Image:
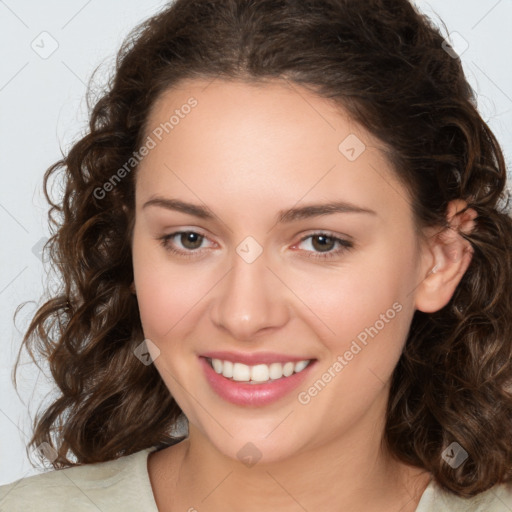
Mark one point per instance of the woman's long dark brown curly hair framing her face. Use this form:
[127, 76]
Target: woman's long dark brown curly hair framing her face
[385, 63]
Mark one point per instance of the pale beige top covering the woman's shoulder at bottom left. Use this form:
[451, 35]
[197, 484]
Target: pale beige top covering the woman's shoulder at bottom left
[121, 484]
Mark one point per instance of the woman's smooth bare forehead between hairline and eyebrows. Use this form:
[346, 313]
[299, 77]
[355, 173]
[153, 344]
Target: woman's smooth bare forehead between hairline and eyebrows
[274, 140]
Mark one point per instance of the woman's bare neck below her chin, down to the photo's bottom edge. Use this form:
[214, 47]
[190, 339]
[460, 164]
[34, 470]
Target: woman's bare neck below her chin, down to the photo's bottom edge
[352, 472]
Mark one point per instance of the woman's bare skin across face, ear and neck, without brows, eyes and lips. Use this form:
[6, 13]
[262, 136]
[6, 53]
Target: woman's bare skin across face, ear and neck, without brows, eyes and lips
[248, 152]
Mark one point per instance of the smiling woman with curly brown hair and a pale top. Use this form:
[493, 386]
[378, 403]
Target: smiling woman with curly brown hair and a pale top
[287, 227]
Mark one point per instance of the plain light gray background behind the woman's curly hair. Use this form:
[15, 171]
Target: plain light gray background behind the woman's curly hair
[42, 110]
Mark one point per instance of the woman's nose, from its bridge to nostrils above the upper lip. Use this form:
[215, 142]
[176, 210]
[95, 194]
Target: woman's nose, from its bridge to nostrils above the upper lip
[251, 300]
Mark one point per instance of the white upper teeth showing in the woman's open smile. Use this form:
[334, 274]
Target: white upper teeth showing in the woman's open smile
[257, 373]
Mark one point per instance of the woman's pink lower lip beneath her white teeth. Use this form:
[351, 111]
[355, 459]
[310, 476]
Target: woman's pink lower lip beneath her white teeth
[243, 393]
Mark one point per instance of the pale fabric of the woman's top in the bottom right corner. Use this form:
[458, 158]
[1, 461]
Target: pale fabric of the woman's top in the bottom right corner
[496, 499]
